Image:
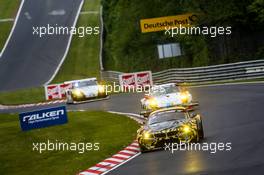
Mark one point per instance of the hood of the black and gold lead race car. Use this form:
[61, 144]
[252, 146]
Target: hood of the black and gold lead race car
[166, 125]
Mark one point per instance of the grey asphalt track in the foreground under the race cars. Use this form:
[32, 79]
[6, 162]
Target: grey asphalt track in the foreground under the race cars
[231, 113]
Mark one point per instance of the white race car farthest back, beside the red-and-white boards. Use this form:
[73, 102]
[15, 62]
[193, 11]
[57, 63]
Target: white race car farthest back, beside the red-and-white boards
[83, 90]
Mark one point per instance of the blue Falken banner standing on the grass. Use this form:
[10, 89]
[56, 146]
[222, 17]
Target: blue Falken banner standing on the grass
[43, 118]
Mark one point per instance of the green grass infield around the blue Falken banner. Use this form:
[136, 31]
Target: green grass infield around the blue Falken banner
[113, 132]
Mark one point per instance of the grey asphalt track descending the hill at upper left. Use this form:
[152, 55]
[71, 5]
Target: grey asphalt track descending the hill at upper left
[29, 60]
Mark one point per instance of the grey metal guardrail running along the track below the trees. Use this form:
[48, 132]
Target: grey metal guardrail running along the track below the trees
[225, 72]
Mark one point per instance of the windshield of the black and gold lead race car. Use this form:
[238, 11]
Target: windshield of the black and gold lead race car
[166, 116]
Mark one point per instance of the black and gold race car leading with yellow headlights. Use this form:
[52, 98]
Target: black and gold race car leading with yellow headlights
[170, 125]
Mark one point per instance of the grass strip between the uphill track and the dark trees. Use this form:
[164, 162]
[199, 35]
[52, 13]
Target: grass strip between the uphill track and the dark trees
[83, 58]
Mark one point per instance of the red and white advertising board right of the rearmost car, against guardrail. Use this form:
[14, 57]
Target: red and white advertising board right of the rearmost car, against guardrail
[135, 79]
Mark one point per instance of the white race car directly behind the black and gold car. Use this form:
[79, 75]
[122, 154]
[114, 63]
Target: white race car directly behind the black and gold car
[165, 95]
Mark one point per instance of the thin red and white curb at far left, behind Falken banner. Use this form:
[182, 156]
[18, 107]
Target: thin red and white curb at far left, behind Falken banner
[2, 107]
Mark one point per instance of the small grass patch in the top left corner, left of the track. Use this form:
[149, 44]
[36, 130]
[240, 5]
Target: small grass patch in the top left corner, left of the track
[7, 10]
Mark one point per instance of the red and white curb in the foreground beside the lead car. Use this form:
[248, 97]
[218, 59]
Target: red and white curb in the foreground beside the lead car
[115, 161]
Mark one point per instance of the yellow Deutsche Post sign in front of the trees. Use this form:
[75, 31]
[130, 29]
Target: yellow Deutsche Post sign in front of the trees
[163, 23]
